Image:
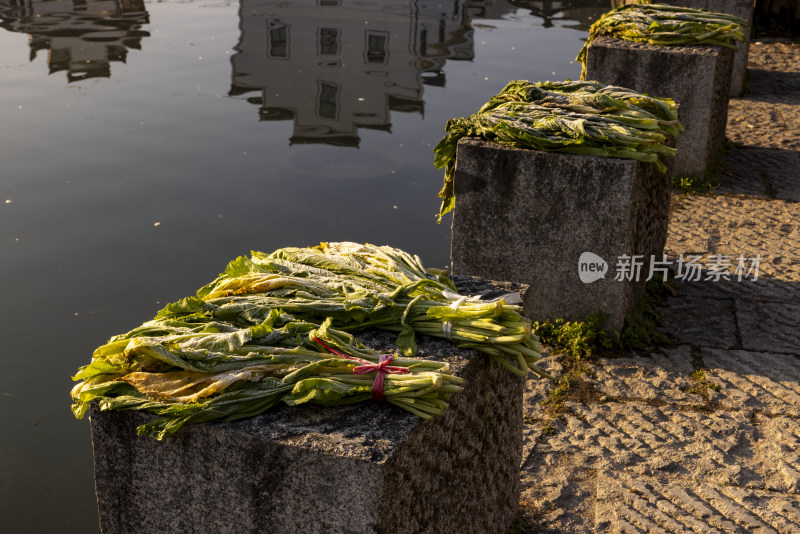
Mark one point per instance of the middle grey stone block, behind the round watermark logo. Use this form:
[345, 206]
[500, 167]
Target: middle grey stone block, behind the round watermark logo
[528, 216]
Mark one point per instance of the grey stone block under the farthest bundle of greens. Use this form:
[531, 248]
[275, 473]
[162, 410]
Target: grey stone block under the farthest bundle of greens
[696, 77]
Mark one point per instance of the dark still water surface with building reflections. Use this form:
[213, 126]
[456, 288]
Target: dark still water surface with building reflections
[144, 145]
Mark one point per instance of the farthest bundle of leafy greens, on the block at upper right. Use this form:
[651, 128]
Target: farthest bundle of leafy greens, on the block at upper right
[661, 24]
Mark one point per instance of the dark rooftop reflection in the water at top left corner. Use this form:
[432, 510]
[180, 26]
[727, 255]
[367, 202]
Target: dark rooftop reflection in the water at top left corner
[81, 37]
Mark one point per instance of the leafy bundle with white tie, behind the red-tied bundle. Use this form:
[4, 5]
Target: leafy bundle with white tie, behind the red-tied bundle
[361, 286]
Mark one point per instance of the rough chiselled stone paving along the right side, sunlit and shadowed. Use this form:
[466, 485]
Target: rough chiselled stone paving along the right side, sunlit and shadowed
[649, 445]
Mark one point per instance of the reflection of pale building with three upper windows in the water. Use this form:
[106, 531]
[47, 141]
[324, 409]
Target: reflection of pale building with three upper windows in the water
[334, 66]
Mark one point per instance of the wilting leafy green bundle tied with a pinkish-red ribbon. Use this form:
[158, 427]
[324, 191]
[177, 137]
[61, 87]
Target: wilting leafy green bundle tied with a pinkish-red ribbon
[192, 377]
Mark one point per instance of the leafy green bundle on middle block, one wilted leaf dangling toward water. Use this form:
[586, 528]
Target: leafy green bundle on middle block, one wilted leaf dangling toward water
[571, 117]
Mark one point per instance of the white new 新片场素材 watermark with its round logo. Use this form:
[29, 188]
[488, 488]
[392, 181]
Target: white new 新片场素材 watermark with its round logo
[690, 268]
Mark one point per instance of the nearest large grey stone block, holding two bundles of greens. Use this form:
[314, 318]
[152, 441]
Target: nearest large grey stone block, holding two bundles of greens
[363, 468]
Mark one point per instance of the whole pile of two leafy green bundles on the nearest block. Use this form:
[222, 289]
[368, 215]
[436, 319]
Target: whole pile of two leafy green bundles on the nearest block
[273, 328]
